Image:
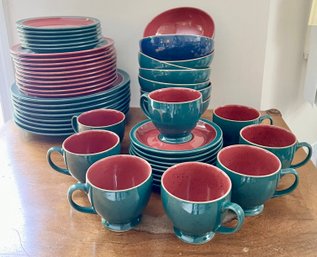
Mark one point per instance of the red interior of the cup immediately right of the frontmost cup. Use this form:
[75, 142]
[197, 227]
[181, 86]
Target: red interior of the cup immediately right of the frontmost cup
[249, 160]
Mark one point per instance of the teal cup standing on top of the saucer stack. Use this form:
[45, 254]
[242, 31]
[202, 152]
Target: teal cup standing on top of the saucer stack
[173, 111]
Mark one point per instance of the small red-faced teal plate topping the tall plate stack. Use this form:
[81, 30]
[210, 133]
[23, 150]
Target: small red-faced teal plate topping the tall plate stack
[58, 22]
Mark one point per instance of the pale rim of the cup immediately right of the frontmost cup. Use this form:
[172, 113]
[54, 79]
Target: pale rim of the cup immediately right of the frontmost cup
[253, 147]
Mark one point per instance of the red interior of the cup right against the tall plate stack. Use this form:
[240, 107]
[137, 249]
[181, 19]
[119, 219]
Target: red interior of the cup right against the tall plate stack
[101, 118]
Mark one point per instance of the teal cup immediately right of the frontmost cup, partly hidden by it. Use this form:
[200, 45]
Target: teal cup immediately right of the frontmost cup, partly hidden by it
[255, 174]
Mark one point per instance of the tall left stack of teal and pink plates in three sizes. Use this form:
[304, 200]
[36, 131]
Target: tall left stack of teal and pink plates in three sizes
[64, 66]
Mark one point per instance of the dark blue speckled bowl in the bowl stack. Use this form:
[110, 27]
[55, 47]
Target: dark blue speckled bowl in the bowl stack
[176, 47]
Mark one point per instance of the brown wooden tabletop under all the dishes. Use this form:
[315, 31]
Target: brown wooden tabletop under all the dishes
[36, 219]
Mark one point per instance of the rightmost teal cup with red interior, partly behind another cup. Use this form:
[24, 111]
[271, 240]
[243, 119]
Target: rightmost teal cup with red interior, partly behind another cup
[277, 140]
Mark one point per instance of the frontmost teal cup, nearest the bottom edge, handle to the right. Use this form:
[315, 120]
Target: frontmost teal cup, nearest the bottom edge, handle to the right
[196, 196]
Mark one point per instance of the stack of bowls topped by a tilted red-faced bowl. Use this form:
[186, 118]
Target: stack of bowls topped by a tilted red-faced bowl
[176, 51]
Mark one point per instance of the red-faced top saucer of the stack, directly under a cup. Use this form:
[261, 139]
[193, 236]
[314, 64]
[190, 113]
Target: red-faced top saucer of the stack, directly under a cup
[148, 135]
